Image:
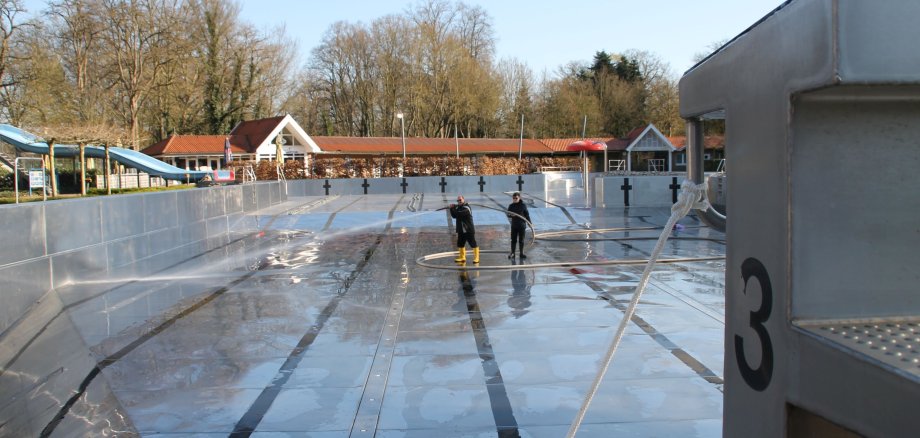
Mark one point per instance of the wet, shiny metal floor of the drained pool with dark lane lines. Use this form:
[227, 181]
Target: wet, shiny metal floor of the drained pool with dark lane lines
[324, 326]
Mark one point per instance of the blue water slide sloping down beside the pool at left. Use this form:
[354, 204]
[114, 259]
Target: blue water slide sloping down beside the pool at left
[29, 142]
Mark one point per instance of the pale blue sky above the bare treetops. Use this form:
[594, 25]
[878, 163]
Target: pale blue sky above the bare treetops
[547, 34]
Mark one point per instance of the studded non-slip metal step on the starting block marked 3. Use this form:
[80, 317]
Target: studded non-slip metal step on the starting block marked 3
[896, 343]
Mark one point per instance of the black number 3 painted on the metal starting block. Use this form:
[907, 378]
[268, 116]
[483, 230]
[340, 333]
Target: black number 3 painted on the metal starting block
[757, 378]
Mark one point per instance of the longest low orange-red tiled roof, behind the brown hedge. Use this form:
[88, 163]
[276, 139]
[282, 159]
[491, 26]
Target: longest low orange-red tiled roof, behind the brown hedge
[414, 145]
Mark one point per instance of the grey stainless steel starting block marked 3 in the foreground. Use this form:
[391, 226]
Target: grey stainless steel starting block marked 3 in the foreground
[821, 305]
